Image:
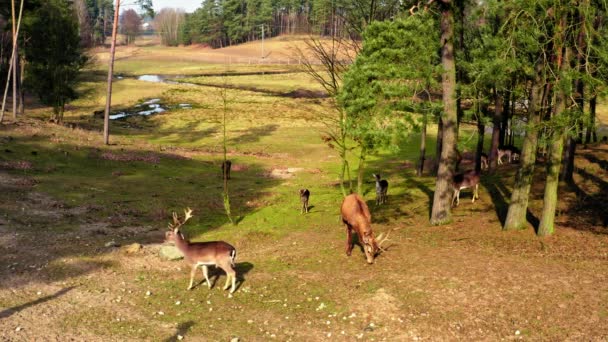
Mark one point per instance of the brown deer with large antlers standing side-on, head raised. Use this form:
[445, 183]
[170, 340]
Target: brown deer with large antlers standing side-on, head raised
[204, 254]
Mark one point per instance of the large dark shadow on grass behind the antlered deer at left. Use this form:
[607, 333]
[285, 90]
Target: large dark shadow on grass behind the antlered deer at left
[97, 195]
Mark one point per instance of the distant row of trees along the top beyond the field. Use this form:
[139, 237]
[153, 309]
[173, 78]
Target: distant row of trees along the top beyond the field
[227, 22]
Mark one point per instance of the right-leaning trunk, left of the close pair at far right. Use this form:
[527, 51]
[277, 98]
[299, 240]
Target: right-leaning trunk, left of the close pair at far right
[518, 207]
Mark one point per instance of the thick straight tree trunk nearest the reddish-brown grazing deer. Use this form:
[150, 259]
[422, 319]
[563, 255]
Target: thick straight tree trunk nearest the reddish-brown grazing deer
[440, 213]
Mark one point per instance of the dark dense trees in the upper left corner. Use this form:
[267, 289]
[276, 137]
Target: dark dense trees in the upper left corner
[48, 54]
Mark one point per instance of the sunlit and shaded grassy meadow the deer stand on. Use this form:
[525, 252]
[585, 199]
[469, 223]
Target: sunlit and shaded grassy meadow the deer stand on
[71, 210]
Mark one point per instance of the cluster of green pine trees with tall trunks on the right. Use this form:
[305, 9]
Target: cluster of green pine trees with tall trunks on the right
[541, 61]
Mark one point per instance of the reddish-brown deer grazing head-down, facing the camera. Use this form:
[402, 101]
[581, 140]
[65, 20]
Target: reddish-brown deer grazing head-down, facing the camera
[356, 216]
